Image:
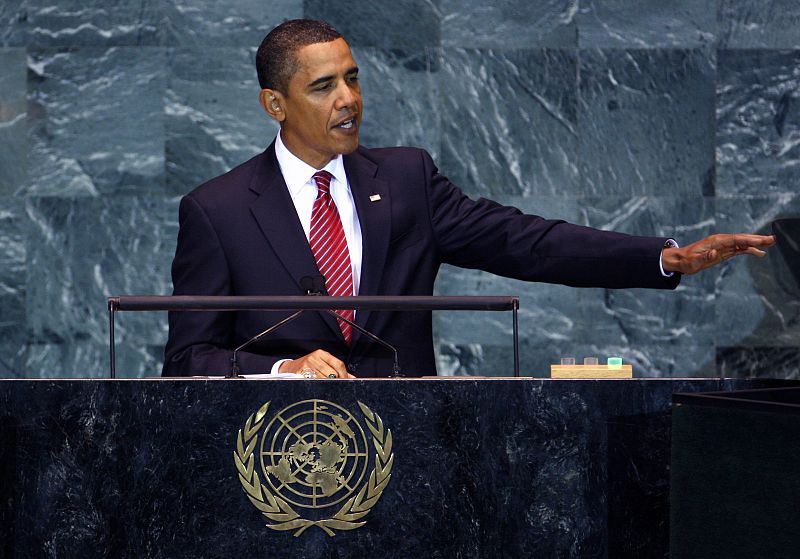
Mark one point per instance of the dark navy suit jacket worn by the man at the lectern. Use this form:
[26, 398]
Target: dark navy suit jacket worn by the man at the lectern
[240, 235]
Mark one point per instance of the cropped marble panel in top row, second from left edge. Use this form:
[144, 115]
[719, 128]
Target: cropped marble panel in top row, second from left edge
[108, 23]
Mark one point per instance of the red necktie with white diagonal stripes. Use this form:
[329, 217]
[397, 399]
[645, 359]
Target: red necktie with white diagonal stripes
[329, 246]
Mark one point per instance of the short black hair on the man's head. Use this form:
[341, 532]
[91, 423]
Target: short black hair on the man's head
[276, 62]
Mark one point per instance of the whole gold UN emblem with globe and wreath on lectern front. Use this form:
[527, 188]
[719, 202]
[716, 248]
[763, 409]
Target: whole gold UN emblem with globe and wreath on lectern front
[308, 465]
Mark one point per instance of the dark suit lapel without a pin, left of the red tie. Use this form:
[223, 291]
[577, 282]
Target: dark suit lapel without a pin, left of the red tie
[274, 212]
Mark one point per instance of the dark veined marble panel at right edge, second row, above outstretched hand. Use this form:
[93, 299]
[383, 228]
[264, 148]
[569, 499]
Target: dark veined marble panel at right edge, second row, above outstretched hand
[758, 122]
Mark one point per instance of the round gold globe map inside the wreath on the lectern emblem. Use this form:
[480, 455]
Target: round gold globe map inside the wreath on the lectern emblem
[314, 454]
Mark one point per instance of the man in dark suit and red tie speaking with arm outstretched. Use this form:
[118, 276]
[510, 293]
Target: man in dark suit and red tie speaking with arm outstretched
[388, 217]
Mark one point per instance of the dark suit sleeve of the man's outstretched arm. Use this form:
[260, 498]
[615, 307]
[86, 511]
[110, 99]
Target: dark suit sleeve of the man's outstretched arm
[502, 240]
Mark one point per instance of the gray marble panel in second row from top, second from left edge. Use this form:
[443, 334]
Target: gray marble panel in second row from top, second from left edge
[96, 121]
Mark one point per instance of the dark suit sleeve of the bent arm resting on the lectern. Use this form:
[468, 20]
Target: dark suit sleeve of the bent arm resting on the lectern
[201, 343]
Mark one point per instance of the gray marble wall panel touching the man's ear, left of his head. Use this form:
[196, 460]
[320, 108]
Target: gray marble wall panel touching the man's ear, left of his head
[213, 118]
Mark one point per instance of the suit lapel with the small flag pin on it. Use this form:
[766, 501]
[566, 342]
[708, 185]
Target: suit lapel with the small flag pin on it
[374, 214]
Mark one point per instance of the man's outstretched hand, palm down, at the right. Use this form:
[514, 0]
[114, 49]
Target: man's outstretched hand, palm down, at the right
[712, 250]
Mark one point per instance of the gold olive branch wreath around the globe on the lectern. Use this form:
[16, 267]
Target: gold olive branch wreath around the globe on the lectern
[280, 512]
